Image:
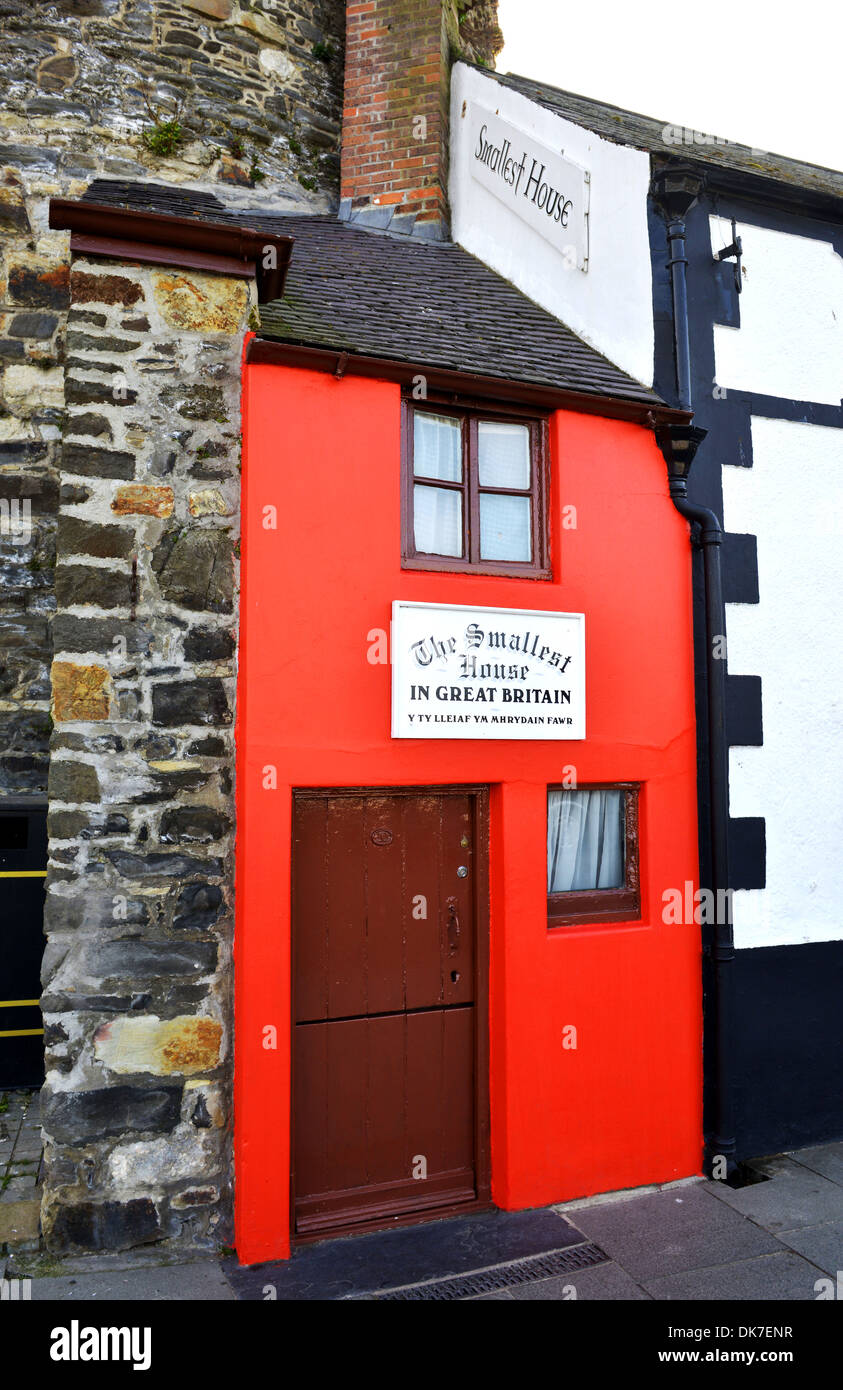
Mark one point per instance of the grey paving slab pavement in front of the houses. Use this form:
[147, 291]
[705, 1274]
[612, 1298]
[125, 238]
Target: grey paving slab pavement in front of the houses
[698, 1241]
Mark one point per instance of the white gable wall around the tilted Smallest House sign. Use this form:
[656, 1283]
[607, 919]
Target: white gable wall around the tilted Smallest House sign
[611, 304]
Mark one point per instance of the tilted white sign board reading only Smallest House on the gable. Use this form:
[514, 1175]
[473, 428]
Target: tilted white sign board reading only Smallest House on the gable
[545, 190]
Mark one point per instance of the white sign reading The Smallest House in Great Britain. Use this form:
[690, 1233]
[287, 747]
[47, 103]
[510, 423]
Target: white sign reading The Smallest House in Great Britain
[488, 673]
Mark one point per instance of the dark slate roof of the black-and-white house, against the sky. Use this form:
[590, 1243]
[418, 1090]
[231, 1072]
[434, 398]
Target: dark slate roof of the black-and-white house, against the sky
[643, 133]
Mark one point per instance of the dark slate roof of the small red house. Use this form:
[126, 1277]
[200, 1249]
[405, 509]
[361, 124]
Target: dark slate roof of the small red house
[364, 291]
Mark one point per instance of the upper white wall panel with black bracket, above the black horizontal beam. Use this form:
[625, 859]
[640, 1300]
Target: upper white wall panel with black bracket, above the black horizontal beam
[791, 337]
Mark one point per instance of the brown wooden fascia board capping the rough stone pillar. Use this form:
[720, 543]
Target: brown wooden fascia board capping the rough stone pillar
[165, 240]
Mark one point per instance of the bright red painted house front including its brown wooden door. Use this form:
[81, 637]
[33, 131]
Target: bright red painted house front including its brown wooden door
[579, 1063]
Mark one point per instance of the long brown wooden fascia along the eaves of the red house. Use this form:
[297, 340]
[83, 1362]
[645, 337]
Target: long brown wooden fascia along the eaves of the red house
[463, 383]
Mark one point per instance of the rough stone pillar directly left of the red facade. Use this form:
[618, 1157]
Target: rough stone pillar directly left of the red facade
[137, 981]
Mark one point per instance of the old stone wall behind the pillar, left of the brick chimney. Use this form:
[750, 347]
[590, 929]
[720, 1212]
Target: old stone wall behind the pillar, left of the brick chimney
[258, 87]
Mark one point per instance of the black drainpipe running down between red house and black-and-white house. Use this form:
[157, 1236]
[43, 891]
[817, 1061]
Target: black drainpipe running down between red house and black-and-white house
[677, 190]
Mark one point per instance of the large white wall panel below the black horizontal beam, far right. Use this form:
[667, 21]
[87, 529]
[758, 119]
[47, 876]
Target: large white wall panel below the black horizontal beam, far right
[792, 500]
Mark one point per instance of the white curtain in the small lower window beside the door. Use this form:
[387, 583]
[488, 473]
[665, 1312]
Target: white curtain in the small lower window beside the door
[585, 840]
